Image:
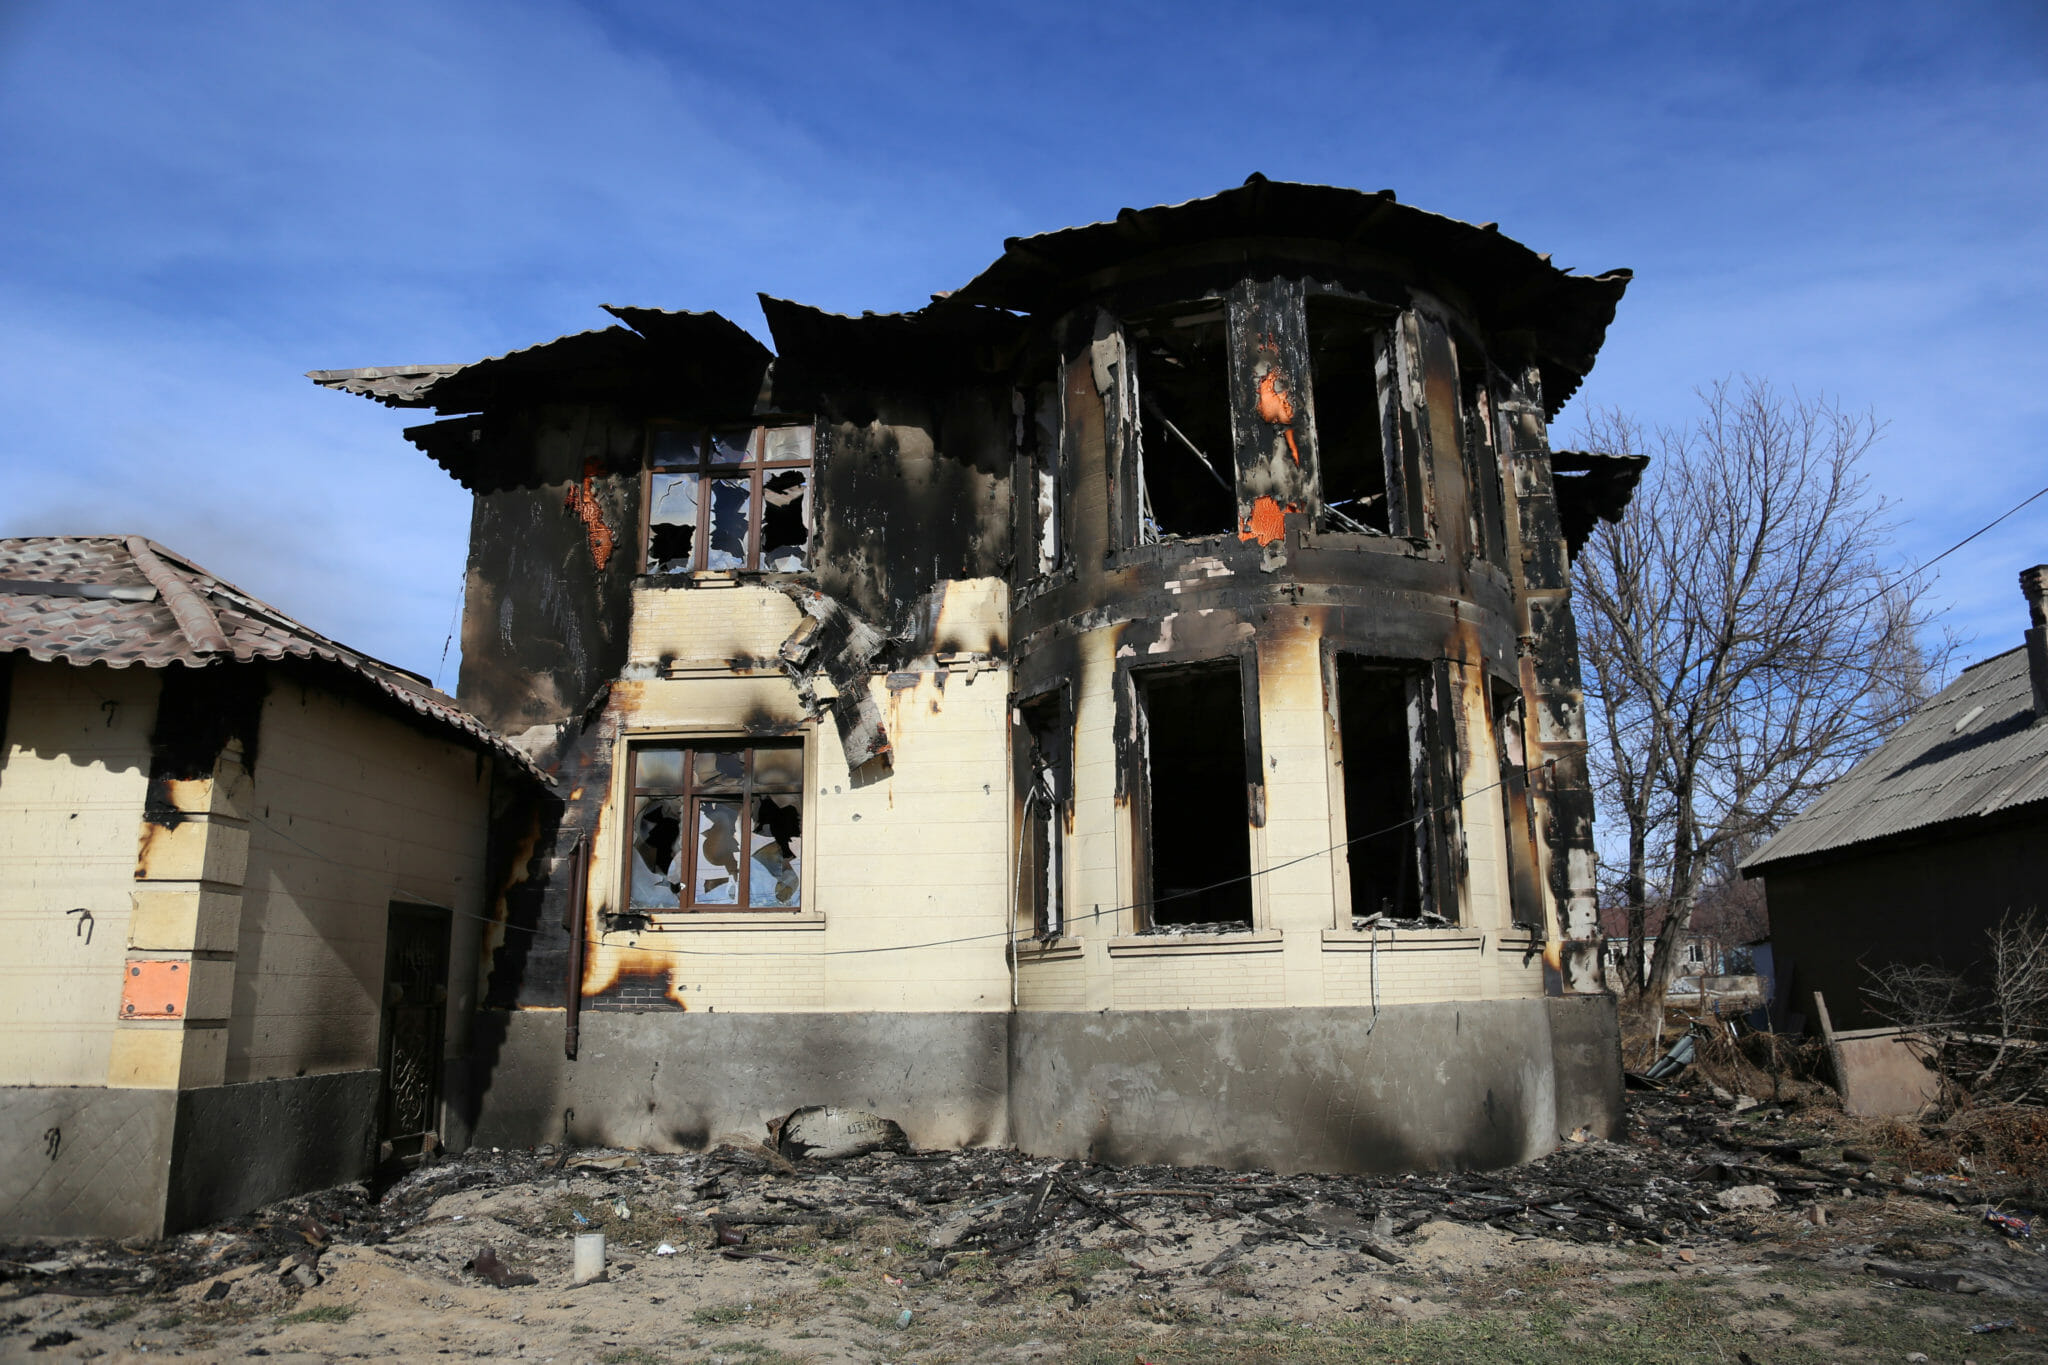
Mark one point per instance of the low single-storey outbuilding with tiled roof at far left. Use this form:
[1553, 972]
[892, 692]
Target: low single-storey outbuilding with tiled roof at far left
[243, 881]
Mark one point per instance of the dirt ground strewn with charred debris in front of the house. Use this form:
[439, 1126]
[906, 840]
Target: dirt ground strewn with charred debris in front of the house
[1709, 1235]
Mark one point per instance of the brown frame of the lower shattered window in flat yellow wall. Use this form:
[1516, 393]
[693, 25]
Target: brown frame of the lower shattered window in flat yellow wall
[687, 793]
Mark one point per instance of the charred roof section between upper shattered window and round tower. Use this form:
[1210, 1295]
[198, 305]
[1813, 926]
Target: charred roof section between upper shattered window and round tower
[941, 345]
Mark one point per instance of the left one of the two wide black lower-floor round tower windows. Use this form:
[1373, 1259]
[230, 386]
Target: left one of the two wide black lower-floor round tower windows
[1197, 820]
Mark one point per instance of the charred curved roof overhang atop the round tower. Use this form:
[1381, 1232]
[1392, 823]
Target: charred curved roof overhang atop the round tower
[1533, 312]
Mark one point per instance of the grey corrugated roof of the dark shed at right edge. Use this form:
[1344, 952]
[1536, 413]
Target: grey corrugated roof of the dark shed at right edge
[1969, 754]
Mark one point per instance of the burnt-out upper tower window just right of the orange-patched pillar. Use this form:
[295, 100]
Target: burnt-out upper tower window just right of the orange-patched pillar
[1351, 435]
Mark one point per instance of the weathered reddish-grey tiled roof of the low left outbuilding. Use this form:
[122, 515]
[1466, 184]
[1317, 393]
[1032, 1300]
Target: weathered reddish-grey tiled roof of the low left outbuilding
[124, 601]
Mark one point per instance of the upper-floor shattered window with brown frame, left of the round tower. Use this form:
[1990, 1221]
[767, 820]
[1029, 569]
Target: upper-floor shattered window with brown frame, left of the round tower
[730, 500]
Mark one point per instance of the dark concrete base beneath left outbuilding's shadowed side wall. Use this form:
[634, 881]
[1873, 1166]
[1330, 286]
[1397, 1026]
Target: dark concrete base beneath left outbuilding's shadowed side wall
[247, 1145]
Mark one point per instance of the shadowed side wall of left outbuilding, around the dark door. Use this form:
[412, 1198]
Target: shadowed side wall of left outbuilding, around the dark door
[351, 809]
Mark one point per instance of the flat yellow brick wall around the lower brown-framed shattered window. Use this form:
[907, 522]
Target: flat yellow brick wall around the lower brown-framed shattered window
[912, 861]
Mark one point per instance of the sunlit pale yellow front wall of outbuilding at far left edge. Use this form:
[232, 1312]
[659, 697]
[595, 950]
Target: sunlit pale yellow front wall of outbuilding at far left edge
[75, 768]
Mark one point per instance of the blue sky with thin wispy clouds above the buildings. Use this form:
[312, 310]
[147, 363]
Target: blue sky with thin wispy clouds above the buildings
[206, 202]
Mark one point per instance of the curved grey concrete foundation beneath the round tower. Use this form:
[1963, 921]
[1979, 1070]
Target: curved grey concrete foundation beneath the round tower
[1293, 1090]
